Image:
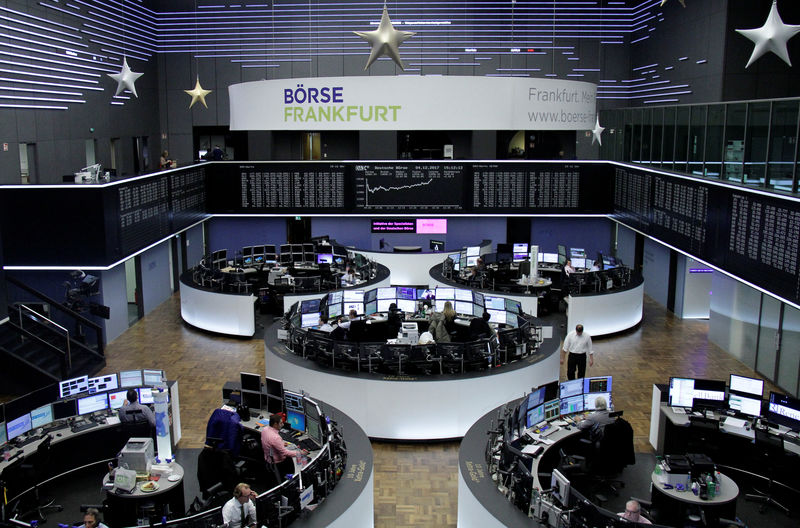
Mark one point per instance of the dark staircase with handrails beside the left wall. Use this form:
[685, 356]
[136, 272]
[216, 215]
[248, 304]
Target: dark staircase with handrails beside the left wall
[36, 351]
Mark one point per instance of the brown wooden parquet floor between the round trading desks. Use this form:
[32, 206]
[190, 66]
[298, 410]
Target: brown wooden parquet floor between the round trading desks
[416, 484]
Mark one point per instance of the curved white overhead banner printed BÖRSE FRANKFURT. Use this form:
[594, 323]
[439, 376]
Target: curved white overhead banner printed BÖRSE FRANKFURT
[413, 103]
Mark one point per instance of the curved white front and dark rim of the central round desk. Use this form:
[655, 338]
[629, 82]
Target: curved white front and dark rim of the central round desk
[412, 407]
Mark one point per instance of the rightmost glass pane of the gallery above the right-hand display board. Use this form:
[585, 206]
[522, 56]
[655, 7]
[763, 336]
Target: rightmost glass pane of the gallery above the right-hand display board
[783, 138]
